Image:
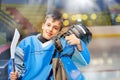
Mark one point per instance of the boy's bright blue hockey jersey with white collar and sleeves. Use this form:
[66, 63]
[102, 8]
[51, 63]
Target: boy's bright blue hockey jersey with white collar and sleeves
[32, 57]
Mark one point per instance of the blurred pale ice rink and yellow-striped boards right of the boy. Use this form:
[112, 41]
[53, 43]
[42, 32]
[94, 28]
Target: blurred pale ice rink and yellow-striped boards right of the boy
[105, 54]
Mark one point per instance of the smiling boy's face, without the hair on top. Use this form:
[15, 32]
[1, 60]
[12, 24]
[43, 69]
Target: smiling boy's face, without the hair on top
[51, 28]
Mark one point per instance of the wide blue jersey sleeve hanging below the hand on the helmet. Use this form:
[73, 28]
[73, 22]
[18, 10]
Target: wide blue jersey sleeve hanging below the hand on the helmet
[82, 57]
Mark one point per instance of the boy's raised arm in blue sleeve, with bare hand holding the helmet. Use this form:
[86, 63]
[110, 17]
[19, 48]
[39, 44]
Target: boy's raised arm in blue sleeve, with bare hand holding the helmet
[81, 48]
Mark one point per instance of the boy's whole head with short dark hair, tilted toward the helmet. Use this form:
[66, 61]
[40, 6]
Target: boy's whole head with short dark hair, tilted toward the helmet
[52, 25]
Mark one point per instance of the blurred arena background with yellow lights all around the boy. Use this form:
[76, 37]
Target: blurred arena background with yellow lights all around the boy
[102, 17]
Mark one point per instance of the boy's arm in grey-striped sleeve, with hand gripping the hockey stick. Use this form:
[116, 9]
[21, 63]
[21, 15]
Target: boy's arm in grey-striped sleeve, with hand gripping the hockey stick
[19, 67]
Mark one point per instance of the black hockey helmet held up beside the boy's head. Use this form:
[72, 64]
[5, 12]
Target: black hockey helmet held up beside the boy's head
[81, 31]
